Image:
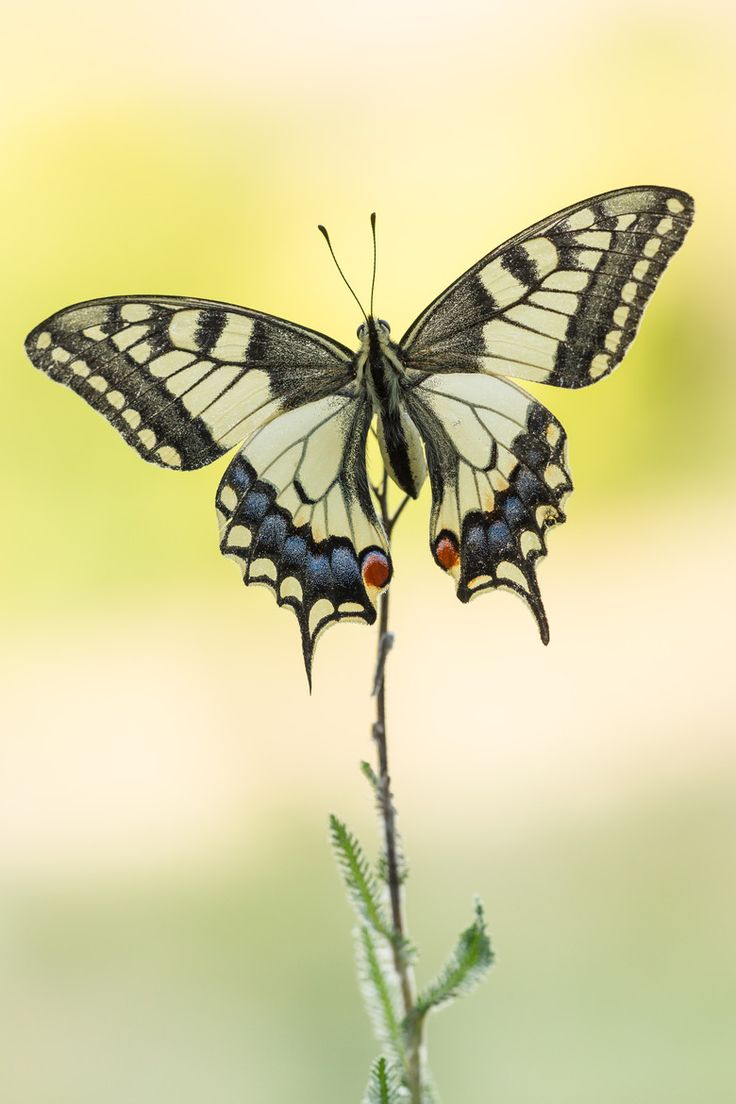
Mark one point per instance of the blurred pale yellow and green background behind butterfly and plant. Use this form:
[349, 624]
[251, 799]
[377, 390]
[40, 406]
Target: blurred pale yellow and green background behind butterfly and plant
[173, 926]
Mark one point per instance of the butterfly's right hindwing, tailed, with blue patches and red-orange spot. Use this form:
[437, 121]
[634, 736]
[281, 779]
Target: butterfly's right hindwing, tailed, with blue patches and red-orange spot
[499, 481]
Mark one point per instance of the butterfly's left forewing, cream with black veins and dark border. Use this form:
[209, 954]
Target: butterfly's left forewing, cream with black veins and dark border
[186, 380]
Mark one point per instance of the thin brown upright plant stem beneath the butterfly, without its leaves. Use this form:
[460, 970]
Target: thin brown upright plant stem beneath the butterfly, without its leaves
[389, 818]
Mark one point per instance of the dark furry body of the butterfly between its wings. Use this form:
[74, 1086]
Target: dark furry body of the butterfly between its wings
[380, 369]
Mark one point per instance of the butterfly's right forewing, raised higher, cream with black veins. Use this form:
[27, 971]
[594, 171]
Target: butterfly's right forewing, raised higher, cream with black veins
[561, 302]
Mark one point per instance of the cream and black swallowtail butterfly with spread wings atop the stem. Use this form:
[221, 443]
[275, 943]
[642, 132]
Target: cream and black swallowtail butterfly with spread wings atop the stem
[186, 380]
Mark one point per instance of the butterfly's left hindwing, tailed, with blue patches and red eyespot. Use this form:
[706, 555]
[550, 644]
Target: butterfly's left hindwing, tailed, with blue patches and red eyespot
[296, 514]
